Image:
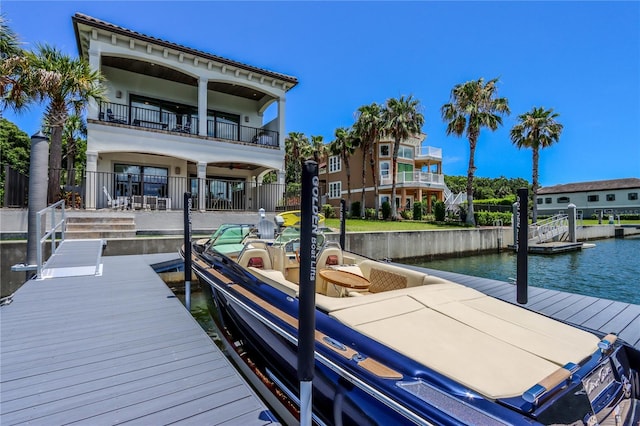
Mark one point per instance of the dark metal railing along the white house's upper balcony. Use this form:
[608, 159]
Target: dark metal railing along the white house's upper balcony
[184, 124]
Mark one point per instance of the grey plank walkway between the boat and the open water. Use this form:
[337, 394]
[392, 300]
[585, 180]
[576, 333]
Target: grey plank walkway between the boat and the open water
[604, 315]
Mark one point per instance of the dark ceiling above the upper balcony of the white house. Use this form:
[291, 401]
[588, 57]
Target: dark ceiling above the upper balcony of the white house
[165, 73]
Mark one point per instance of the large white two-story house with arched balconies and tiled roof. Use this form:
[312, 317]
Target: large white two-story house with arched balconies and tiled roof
[178, 120]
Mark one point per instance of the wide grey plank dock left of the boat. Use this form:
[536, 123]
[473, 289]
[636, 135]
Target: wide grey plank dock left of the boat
[114, 348]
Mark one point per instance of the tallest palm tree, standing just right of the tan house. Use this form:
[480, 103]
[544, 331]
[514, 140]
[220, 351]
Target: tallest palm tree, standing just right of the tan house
[473, 105]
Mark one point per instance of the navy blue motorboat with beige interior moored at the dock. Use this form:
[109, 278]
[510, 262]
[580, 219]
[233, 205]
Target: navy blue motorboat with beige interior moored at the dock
[398, 346]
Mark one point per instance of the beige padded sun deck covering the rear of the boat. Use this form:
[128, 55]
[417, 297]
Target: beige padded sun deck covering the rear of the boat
[495, 348]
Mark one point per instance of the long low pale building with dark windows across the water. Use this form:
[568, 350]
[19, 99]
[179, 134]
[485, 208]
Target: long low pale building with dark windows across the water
[617, 196]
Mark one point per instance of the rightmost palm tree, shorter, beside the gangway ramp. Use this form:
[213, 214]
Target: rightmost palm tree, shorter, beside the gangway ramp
[536, 129]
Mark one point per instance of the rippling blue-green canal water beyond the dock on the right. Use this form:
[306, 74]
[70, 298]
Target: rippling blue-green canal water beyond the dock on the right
[610, 270]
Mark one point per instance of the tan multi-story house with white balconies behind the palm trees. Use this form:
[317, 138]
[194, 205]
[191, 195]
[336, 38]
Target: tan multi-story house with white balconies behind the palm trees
[419, 175]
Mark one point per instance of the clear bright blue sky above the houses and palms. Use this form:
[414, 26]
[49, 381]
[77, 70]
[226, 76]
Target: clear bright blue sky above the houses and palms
[580, 58]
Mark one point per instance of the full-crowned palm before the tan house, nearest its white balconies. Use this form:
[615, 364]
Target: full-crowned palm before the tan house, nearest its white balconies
[401, 119]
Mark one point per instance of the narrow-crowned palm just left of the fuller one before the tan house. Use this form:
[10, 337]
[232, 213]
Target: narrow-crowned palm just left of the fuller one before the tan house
[368, 128]
